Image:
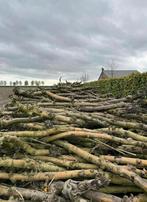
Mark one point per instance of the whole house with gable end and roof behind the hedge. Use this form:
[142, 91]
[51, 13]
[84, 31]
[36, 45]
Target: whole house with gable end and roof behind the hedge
[115, 73]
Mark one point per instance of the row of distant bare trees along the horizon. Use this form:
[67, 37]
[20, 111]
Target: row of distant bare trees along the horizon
[22, 83]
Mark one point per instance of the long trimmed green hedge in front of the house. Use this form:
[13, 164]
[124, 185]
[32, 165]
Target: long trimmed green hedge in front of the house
[120, 87]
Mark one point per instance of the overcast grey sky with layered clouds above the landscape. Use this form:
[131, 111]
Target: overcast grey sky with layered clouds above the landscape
[46, 39]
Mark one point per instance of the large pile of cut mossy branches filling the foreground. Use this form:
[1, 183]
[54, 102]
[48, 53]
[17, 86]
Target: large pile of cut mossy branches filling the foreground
[63, 143]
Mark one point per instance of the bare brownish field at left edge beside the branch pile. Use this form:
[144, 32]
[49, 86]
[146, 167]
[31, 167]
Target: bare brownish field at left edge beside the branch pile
[5, 92]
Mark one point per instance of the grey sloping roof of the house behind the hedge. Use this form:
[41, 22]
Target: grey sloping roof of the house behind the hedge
[119, 73]
